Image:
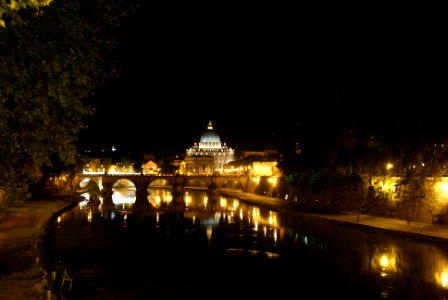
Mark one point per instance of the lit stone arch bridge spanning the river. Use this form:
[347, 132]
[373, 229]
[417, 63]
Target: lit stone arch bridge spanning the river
[177, 183]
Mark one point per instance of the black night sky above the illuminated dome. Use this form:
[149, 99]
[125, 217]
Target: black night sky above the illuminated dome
[254, 73]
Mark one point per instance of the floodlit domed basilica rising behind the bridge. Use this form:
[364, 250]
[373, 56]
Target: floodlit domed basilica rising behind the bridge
[209, 155]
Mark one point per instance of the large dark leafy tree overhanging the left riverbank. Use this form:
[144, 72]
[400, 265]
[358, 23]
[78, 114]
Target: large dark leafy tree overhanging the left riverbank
[51, 61]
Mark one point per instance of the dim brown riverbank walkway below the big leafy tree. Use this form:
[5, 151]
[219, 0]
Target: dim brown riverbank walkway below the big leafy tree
[21, 232]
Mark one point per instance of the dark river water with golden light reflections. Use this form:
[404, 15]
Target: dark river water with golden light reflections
[226, 248]
